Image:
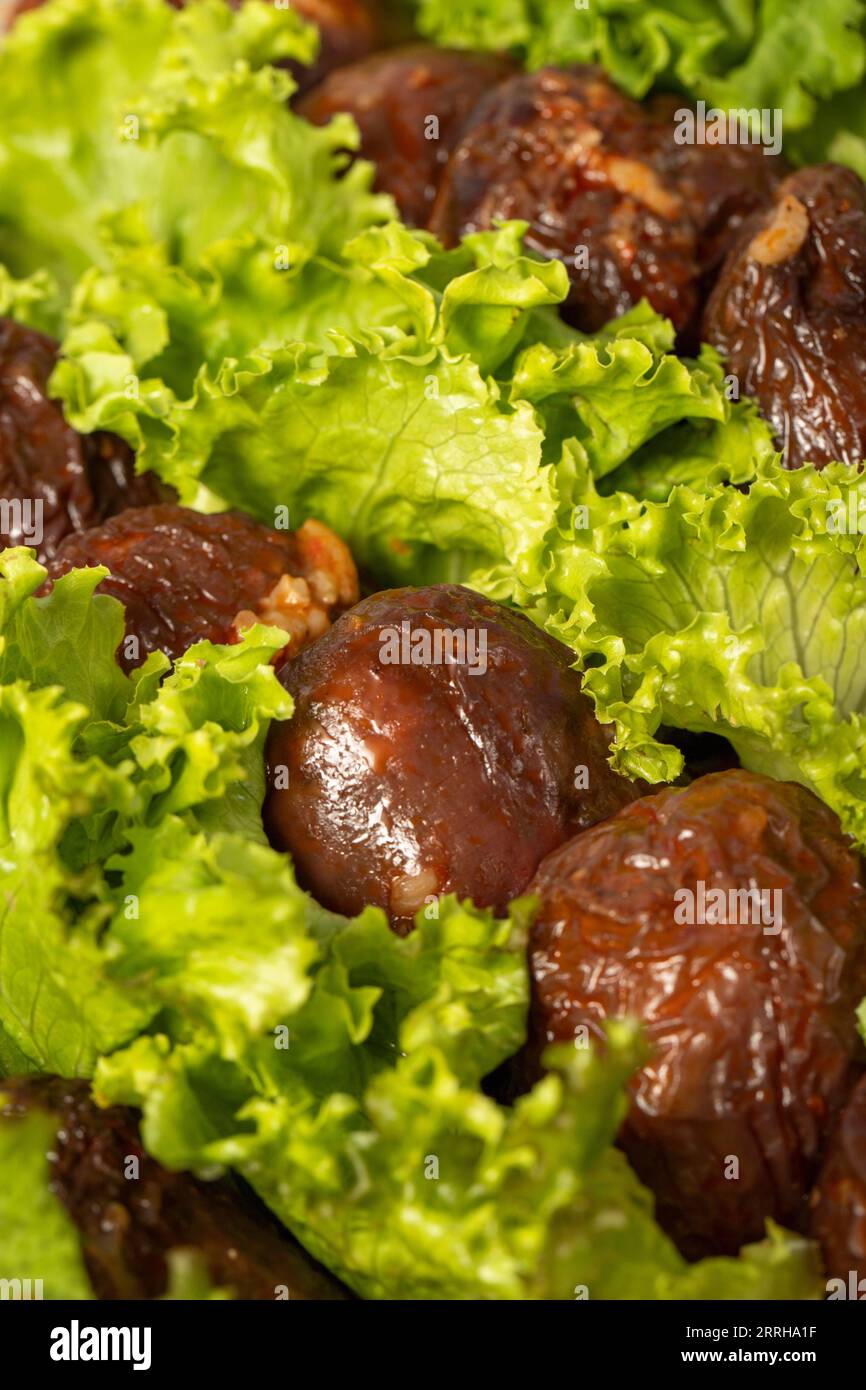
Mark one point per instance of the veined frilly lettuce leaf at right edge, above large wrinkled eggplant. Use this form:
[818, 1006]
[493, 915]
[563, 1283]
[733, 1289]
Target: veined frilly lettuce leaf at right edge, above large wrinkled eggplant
[739, 614]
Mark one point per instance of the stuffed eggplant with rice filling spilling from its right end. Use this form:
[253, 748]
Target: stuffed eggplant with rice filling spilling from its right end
[186, 578]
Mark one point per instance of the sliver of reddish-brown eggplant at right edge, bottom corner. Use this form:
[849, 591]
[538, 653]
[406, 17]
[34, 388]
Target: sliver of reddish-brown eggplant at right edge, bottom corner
[839, 1202]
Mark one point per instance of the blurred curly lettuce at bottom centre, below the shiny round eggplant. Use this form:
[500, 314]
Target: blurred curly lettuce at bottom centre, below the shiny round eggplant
[359, 1118]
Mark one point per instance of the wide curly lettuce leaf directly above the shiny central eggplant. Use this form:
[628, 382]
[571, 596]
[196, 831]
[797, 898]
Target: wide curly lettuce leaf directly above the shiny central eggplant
[426, 441]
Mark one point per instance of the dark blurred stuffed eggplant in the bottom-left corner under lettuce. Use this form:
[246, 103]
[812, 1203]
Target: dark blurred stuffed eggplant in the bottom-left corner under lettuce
[130, 1225]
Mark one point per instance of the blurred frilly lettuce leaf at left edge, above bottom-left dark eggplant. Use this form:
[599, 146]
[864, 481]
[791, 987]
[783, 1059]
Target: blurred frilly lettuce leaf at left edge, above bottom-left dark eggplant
[56, 1008]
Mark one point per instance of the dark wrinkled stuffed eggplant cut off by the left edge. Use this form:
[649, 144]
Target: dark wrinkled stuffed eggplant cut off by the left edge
[54, 482]
